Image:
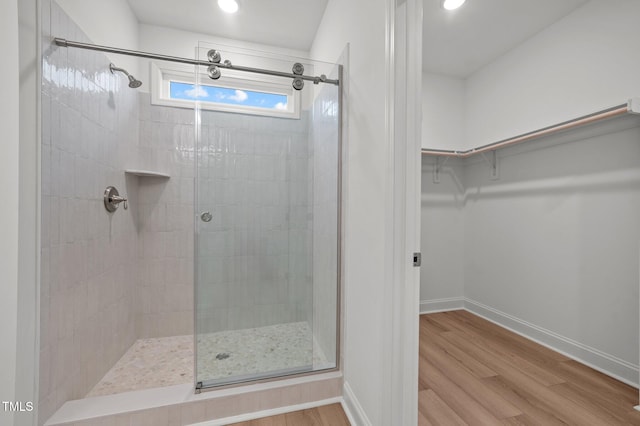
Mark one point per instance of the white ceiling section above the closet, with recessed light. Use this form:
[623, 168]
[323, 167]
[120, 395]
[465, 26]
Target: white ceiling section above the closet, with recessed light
[458, 43]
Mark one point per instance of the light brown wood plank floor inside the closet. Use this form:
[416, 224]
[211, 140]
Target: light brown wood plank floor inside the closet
[474, 372]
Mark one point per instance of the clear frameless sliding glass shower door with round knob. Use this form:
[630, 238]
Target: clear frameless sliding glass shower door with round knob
[266, 178]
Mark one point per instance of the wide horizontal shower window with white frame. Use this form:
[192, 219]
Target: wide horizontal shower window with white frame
[176, 86]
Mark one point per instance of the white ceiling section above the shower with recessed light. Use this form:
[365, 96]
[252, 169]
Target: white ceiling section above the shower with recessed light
[284, 23]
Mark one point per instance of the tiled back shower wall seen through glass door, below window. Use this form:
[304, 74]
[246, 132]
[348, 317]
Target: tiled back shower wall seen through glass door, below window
[255, 254]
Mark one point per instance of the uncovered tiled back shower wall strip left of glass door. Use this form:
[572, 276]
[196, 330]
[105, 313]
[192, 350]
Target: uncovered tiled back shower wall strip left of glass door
[165, 217]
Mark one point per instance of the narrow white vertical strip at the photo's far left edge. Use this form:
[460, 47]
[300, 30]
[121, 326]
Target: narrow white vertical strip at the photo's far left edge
[9, 214]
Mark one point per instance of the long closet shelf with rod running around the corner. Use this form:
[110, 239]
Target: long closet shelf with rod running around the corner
[631, 107]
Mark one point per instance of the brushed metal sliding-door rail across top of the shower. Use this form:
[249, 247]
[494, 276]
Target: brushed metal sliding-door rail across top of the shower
[68, 43]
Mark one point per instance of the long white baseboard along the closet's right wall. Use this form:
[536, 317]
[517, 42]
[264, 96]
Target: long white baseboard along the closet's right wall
[605, 363]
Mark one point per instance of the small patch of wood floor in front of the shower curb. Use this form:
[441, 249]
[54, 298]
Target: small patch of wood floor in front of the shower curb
[327, 415]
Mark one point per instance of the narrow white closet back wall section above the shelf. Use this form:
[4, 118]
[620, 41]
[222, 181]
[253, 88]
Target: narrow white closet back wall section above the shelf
[443, 110]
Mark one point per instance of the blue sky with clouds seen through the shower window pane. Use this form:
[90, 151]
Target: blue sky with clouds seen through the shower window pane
[228, 96]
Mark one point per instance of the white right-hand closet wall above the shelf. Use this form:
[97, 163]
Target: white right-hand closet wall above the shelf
[585, 62]
